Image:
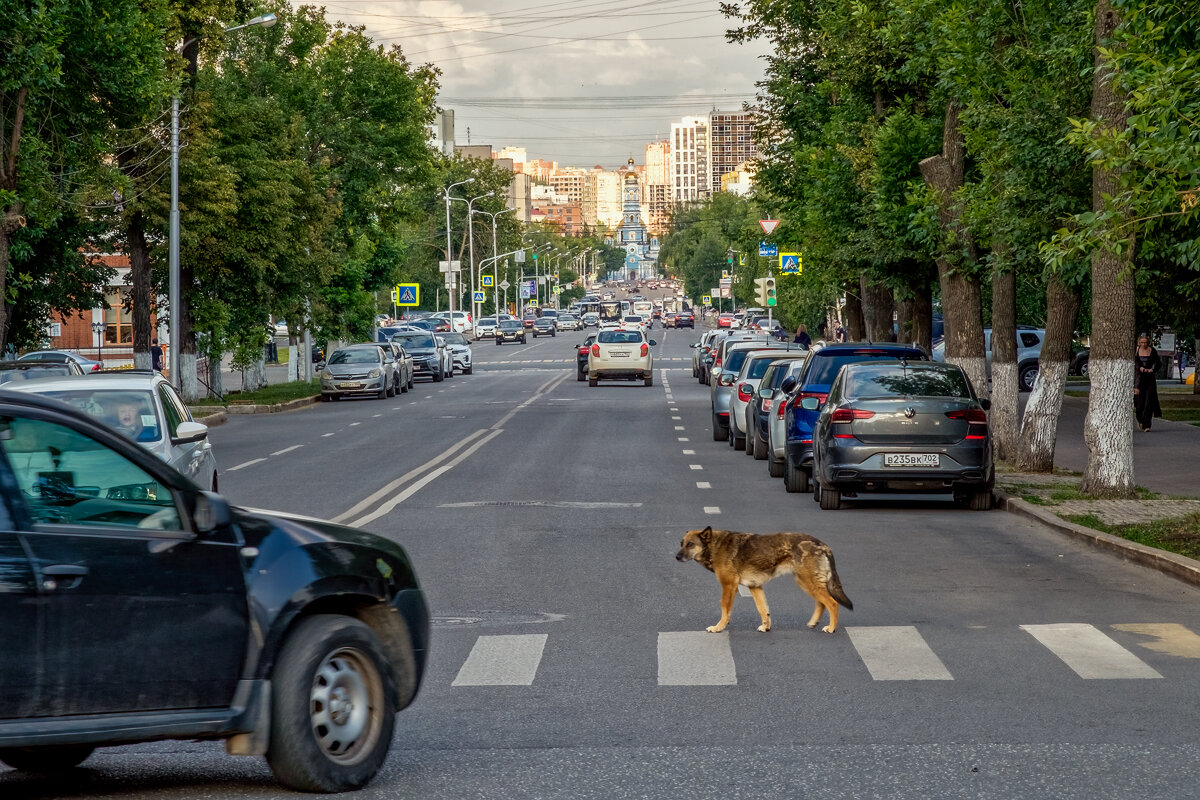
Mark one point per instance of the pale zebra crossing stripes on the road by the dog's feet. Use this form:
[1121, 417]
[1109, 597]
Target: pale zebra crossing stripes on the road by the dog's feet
[893, 653]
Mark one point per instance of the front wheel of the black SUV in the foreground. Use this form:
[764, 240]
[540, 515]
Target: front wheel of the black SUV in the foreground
[333, 700]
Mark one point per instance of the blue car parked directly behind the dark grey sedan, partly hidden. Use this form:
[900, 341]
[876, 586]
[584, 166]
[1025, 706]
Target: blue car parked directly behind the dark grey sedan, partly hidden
[815, 382]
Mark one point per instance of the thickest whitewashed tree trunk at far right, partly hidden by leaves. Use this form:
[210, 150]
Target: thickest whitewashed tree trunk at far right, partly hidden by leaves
[1108, 428]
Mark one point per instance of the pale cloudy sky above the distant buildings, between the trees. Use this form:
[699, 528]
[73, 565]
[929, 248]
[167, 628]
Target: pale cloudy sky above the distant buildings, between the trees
[579, 82]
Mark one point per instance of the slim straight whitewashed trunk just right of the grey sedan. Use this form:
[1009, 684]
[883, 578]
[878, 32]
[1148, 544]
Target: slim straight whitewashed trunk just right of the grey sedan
[1005, 418]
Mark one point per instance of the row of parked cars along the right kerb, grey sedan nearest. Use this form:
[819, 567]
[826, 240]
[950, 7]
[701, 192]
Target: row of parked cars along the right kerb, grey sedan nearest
[844, 419]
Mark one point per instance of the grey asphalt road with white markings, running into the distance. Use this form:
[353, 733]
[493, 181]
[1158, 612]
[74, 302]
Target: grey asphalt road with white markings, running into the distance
[986, 657]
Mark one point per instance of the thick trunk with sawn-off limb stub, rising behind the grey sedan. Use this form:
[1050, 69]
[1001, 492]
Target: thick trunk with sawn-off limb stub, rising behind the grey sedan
[962, 302]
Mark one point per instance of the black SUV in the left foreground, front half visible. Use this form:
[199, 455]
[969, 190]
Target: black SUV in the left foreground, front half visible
[136, 607]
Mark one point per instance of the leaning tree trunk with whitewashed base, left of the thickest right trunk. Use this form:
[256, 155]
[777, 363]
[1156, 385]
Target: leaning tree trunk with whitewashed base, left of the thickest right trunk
[1040, 426]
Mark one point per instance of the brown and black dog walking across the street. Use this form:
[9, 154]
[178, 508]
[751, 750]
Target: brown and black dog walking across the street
[754, 560]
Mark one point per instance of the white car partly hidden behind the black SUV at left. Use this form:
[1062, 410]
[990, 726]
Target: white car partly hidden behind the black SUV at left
[142, 406]
